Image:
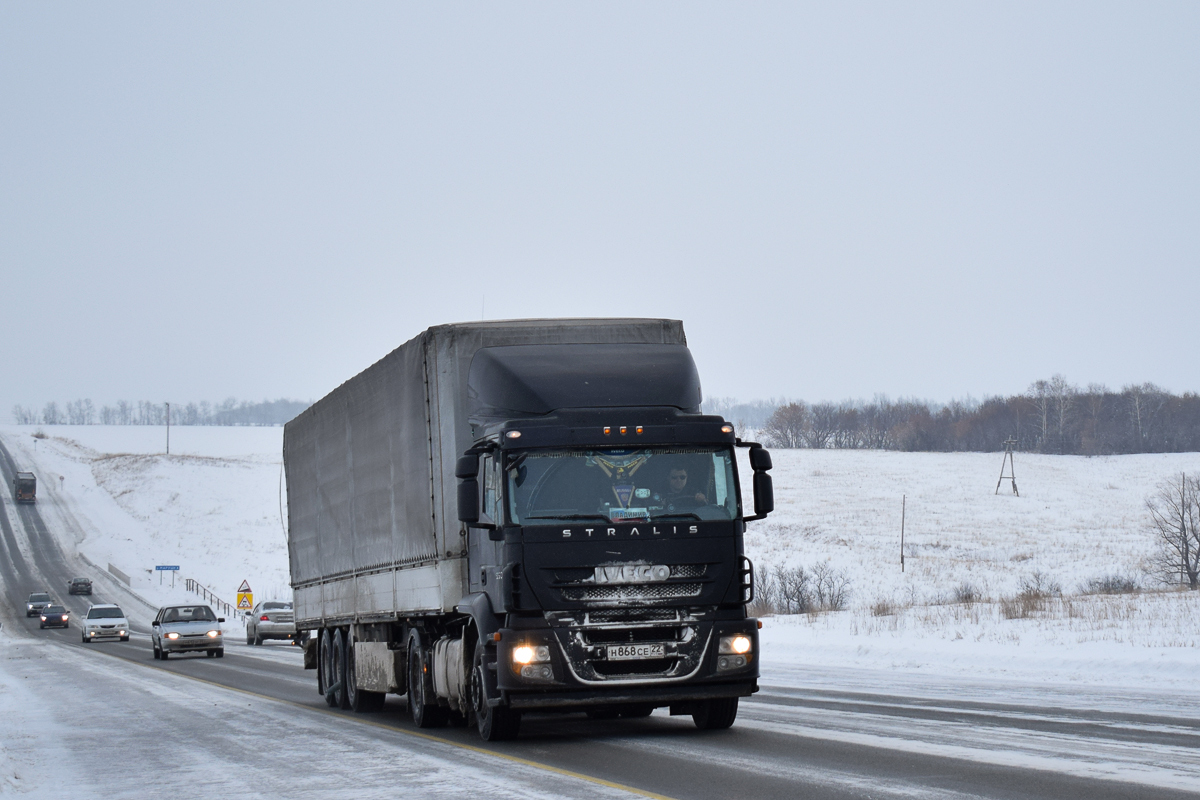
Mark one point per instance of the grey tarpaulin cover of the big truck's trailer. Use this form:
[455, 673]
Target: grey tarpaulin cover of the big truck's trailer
[373, 519]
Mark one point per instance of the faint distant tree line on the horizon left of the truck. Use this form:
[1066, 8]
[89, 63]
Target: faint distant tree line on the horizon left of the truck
[230, 412]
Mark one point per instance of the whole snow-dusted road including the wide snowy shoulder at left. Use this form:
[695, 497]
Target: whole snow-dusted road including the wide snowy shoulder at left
[103, 720]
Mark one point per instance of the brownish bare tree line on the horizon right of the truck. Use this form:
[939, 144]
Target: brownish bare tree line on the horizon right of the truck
[1053, 417]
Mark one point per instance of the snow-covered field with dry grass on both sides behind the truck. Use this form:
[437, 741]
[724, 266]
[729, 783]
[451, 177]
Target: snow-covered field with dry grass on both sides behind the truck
[213, 508]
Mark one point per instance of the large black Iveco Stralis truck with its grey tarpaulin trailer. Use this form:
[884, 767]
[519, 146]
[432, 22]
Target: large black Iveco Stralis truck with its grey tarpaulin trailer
[525, 516]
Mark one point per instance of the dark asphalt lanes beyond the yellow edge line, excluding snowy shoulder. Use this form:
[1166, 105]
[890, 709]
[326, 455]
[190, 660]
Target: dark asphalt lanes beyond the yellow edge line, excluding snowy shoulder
[788, 742]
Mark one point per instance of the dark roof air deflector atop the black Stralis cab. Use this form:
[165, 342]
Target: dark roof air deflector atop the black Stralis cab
[536, 380]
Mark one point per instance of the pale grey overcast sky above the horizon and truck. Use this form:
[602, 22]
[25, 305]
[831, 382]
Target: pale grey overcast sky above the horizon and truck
[201, 201]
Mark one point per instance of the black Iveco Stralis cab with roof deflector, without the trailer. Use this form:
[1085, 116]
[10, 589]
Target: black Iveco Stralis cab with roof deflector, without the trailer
[605, 536]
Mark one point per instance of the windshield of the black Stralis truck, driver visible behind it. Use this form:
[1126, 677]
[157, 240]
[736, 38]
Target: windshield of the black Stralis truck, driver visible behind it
[621, 485]
